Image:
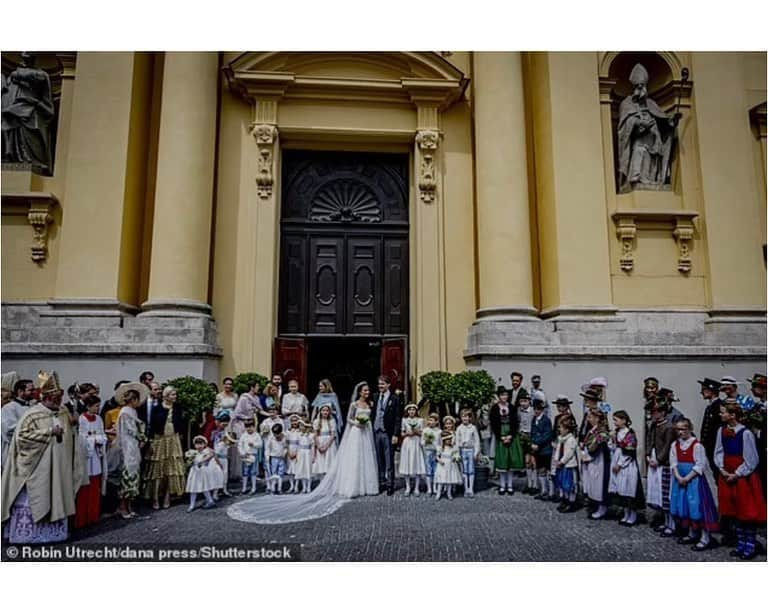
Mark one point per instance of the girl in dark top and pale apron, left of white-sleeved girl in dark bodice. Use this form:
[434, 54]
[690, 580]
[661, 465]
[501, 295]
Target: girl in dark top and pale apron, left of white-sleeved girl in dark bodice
[595, 458]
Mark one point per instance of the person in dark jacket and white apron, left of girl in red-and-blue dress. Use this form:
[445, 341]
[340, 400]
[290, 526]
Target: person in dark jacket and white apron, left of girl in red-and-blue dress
[660, 438]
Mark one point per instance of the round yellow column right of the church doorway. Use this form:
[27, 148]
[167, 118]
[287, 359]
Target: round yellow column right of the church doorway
[503, 217]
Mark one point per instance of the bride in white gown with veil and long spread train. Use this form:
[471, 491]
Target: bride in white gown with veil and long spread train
[354, 473]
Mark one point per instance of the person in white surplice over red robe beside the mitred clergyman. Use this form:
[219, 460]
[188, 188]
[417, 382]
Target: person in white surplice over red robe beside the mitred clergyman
[88, 506]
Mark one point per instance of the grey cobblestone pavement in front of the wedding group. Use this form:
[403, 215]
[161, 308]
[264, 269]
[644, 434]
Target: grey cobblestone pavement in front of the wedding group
[489, 527]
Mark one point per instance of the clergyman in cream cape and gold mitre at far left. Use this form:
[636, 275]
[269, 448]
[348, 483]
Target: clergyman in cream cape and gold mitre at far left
[43, 472]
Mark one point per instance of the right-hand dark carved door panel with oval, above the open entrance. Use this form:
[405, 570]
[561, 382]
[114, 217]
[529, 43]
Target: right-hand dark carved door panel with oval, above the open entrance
[363, 285]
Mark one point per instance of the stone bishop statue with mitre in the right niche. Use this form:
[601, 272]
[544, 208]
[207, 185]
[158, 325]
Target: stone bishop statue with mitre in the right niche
[645, 139]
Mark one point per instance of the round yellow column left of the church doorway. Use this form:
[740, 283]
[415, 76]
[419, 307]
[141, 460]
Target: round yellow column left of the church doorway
[181, 235]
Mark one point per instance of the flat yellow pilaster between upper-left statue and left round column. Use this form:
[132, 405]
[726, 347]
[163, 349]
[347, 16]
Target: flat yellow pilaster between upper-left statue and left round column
[100, 249]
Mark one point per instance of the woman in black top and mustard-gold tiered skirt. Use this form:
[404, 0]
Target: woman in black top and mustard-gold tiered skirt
[165, 469]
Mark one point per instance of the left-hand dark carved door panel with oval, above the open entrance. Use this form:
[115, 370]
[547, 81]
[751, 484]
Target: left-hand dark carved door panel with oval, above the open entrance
[326, 286]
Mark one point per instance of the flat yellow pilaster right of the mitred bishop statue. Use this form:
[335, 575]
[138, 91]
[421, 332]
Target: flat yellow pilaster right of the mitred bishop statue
[730, 186]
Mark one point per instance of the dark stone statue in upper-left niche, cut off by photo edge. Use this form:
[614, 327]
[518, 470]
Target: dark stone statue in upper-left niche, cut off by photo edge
[27, 113]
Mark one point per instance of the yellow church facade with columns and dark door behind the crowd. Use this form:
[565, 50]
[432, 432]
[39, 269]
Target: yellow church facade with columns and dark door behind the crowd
[343, 214]
